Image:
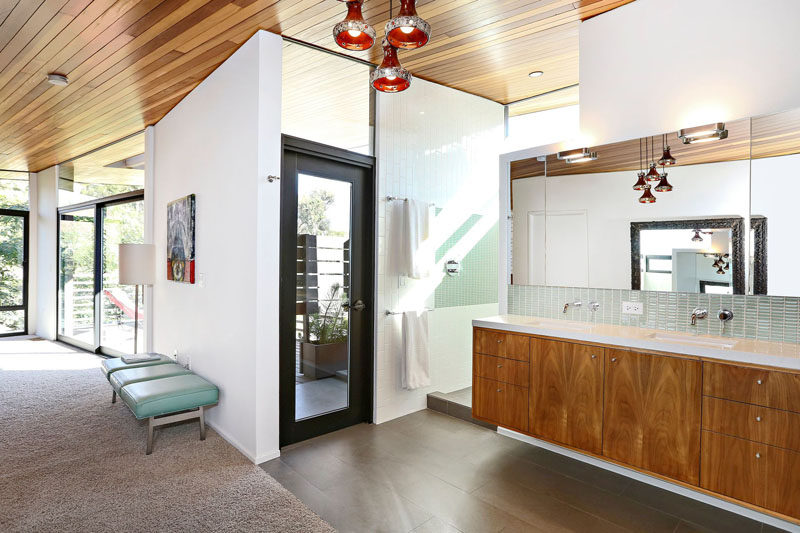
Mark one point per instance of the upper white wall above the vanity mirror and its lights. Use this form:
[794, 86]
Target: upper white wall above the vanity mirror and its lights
[726, 60]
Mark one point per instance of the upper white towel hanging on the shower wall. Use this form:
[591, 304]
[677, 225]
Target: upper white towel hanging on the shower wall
[416, 246]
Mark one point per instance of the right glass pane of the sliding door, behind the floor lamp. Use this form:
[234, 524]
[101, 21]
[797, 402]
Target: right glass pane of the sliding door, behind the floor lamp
[122, 223]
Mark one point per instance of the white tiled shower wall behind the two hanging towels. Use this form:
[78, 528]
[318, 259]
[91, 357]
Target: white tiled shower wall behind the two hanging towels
[441, 146]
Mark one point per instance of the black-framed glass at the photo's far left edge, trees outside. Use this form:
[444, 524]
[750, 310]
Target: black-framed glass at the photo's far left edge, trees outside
[13, 272]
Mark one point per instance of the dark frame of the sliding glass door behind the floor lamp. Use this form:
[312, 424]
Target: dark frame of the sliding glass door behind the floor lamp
[97, 205]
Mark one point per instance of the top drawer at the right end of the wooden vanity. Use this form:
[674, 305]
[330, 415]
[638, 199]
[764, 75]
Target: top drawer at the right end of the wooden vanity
[768, 388]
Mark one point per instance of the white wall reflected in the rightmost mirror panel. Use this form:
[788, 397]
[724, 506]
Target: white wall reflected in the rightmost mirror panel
[774, 185]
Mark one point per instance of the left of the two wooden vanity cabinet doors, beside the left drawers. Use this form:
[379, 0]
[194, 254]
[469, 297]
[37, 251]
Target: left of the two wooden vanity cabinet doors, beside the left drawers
[567, 393]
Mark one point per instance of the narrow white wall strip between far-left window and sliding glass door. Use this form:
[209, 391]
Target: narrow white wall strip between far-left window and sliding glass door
[44, 268]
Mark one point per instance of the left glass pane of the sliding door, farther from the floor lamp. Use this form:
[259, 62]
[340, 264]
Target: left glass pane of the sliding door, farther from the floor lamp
[76, 259]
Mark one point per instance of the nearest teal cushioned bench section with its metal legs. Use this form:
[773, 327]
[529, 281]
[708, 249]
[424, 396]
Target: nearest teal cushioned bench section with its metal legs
[164, 400]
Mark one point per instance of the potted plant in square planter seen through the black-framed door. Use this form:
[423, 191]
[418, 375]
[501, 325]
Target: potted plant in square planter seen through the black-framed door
[324, 351]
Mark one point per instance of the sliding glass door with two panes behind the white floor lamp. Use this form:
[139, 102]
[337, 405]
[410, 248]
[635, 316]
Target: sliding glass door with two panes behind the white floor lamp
[95, 312]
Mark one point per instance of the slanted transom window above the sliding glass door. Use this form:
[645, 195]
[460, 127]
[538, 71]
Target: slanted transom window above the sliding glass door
[121, 163]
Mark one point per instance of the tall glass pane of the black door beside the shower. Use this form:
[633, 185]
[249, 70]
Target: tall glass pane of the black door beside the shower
[322, 344]
